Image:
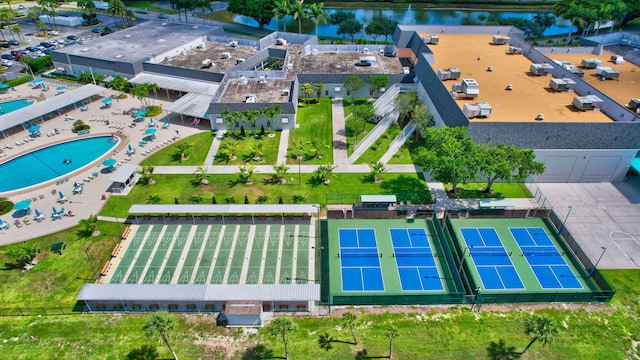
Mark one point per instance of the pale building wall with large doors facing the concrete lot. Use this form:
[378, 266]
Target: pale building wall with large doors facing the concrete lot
[594, 165]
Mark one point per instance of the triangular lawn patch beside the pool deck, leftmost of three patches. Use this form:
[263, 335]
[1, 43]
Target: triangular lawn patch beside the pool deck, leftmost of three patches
[168, 155]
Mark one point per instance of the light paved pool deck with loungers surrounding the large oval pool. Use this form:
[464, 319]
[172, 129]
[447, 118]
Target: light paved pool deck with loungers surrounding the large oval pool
[90, 201]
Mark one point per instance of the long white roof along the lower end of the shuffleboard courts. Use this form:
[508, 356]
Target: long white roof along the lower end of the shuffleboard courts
[193, 292]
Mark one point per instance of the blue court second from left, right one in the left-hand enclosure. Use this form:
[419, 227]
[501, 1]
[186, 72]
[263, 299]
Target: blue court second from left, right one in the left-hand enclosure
[416, 263]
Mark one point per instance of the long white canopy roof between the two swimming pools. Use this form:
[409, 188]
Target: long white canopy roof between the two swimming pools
[49, 105]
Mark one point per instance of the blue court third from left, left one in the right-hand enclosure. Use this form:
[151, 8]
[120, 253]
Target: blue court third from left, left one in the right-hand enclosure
[491, 259]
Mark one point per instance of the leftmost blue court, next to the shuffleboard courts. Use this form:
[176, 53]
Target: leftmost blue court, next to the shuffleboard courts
[360, 260]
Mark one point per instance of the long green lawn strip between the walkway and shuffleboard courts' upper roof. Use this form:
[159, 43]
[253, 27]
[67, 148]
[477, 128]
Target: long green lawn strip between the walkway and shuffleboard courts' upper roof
[226, 189]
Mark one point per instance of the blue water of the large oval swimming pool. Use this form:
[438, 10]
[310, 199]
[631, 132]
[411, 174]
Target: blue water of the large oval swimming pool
[47, 163]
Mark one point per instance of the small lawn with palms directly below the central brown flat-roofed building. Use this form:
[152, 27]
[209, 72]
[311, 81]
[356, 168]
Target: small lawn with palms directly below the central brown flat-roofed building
[270, 149]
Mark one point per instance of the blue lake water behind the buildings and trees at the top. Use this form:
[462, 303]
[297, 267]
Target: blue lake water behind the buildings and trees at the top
[411, 17]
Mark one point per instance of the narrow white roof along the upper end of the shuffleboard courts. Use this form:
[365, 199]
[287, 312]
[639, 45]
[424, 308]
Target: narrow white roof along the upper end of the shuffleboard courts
[223, 209]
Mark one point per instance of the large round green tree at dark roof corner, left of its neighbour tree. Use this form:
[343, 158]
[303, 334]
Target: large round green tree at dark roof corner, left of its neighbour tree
[449, 155]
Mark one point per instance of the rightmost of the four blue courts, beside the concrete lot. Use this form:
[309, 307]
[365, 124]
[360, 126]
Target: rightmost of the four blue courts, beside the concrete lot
[545, 260]
